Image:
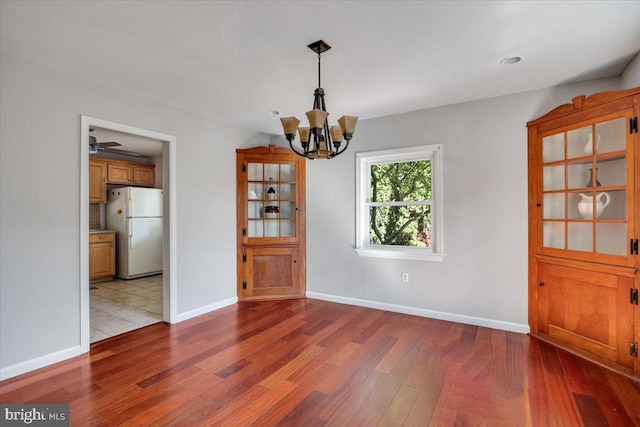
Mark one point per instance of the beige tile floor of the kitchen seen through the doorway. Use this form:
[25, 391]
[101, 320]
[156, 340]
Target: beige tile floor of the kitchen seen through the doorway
[121, 306]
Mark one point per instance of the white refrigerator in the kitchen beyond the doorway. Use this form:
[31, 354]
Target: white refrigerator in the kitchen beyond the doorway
[135, 214]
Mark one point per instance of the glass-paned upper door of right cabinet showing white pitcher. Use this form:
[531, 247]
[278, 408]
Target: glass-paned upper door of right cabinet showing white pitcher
[584, 189]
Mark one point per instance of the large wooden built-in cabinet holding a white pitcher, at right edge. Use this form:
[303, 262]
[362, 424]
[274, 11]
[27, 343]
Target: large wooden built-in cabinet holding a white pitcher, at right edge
[584, 220]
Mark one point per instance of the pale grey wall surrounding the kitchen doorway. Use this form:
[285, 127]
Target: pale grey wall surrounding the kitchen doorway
[40, 203]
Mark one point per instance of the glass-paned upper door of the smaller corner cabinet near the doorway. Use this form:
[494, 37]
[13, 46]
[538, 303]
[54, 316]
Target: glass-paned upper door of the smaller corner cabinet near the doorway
[271, 200]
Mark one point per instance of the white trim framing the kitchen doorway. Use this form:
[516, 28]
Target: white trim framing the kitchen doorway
[169, 252]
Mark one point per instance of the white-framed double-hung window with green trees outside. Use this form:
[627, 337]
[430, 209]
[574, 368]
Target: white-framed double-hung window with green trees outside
[399, 203]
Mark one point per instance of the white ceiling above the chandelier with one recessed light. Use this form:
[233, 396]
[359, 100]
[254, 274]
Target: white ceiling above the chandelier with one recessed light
[236, 61]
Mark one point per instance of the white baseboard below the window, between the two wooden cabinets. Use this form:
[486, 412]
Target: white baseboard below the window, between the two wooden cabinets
[432, 314]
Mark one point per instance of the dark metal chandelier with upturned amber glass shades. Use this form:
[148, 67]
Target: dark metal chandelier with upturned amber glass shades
[326, 140]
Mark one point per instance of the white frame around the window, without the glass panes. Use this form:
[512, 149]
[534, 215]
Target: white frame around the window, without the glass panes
[364, 161]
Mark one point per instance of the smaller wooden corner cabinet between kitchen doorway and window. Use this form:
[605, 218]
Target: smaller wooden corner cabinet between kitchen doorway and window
[270, 198]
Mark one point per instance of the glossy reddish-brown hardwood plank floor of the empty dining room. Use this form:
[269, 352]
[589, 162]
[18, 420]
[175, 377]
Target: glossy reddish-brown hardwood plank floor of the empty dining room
[315, 363]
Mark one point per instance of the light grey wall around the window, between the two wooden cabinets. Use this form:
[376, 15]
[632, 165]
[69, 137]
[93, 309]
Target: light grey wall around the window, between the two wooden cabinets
[483, 279]
